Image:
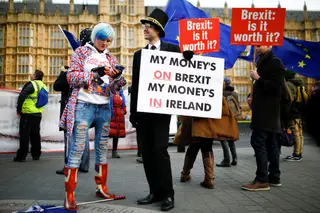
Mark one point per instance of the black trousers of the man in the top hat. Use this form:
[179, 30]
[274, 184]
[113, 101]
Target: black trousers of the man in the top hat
[154, 133]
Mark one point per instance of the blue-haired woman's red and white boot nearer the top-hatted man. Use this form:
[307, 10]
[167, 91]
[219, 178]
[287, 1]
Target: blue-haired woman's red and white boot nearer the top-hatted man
[101, 181]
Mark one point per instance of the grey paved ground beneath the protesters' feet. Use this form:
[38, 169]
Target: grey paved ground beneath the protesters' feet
[36, 181]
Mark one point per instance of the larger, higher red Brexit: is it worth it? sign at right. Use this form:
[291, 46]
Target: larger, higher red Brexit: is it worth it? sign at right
[257, 26]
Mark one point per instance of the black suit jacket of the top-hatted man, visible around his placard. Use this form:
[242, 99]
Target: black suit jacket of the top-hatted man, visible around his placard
[136, 74]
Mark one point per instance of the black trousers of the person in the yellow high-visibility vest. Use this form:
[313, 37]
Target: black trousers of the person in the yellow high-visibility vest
[29, 131]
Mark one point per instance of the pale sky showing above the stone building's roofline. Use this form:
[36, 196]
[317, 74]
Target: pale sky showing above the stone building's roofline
[313, 5]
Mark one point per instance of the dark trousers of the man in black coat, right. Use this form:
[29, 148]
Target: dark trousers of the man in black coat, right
[265, 145]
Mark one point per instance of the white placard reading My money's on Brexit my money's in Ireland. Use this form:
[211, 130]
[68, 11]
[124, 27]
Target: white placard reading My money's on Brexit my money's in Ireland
[169, 84]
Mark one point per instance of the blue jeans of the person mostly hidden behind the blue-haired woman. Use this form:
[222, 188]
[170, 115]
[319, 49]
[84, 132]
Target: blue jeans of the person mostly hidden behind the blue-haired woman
[85, 160]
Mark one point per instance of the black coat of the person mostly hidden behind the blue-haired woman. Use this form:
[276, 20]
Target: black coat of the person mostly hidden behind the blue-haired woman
[61, 85]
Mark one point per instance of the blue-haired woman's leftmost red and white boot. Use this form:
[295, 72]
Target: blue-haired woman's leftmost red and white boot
[70, 185]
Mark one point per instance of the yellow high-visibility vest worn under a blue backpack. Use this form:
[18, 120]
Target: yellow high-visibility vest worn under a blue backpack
[29, 105]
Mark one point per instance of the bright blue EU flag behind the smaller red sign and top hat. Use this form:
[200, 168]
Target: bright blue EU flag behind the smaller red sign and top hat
[182, 9]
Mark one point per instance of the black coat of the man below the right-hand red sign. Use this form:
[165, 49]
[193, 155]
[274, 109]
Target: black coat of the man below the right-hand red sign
[267, 94]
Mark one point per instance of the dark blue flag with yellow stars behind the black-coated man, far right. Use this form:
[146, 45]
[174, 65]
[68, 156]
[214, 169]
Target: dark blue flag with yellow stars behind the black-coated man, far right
[302, 57]
